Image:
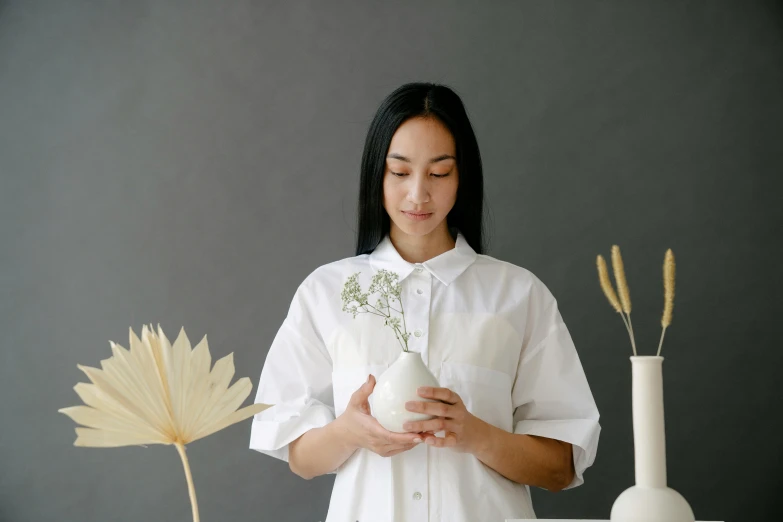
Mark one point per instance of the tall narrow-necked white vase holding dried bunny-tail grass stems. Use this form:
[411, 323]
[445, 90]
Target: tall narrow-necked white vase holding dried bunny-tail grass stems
[650, 500]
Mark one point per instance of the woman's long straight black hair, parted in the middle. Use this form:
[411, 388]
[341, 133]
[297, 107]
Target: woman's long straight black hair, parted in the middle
[421, 100]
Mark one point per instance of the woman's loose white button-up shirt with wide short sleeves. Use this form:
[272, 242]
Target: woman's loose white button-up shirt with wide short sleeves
[487, 329]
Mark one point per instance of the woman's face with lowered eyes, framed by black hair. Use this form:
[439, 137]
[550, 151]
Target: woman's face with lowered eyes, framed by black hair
[421, 178]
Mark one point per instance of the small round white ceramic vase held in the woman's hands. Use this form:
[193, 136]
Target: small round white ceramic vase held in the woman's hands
[398, 385]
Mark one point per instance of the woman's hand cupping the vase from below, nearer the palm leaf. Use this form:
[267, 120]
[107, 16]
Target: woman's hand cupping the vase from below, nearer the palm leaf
[362, 430]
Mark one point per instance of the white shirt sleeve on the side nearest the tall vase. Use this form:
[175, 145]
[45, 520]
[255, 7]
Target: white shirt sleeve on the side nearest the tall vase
[551, 397]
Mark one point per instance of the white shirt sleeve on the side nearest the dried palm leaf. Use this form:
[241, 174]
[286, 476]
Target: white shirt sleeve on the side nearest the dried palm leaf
[296, 380]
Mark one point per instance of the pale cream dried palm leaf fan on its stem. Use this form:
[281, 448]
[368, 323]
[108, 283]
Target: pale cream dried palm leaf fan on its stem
[159, 393]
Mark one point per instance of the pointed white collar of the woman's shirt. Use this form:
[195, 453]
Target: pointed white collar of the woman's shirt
[446, 267]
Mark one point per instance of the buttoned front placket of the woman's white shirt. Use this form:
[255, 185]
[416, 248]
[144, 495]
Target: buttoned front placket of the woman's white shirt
[414, 490]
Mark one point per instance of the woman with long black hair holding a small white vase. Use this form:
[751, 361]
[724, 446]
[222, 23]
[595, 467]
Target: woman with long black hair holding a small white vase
[514, 409]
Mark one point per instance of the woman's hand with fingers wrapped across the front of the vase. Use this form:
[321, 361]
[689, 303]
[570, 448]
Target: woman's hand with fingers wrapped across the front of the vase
[464, 431]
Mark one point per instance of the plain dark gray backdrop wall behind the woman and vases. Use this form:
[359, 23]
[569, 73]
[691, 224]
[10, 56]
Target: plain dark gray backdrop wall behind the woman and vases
[190, 162]
